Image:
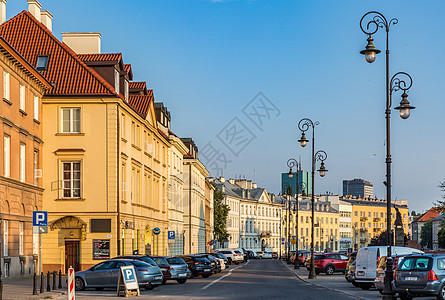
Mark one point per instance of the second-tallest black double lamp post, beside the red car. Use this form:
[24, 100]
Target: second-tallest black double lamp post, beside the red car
[320, 155]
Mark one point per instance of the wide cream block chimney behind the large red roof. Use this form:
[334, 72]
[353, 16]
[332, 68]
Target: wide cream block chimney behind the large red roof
[83, 42]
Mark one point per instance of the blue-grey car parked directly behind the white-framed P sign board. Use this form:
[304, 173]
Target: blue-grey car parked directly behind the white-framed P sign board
[106, 274]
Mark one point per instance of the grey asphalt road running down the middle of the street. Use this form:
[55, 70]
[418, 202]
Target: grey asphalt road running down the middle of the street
[257, 279]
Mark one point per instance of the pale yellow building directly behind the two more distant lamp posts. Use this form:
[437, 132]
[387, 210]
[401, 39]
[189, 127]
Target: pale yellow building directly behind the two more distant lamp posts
[326, 225]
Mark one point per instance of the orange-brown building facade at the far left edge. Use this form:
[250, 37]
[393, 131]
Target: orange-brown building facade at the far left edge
[21, 140]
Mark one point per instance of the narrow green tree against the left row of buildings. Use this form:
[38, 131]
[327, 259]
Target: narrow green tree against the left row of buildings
[221, 211]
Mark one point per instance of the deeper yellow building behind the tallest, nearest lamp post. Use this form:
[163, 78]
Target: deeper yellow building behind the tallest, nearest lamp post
[369, 218]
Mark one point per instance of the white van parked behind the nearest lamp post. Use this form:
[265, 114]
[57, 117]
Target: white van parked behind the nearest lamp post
[367, 259]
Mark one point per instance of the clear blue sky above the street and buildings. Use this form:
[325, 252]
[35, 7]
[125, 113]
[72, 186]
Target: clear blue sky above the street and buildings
[207, 59]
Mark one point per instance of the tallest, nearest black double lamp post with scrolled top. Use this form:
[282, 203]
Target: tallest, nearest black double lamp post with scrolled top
[394, 84]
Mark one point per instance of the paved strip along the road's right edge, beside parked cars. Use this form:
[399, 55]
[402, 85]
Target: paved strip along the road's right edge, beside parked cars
[335, 283]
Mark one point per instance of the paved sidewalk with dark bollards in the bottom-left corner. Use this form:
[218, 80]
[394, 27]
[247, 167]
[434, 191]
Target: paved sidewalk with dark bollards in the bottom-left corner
[15, 289]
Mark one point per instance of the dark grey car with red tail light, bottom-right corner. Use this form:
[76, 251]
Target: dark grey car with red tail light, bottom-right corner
[420, 275]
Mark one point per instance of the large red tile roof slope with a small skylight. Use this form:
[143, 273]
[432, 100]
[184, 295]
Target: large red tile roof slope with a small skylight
[69, 74]
